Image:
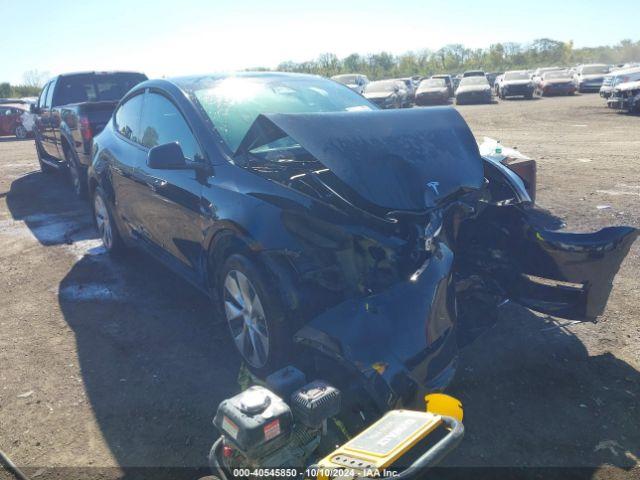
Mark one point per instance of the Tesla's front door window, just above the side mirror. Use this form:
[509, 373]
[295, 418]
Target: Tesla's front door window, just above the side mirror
[163, 123]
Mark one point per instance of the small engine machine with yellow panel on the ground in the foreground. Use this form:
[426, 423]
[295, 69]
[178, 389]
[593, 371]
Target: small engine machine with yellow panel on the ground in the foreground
[260, 431]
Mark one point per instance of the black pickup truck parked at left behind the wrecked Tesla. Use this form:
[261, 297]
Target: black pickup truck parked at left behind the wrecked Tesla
[70, 111]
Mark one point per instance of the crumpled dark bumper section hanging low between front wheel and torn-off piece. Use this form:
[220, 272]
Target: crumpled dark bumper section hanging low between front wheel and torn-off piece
[404, 336]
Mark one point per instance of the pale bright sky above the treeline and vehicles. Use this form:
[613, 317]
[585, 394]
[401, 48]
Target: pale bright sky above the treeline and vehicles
[173, 37]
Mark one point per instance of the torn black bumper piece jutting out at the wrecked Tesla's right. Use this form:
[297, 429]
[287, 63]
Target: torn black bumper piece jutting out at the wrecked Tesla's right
[568, 275]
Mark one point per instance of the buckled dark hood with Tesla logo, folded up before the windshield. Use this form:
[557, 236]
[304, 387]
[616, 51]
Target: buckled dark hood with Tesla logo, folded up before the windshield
[397, 159]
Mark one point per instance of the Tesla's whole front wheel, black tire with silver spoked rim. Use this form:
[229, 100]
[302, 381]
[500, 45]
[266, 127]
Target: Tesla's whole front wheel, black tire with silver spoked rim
[255, 316]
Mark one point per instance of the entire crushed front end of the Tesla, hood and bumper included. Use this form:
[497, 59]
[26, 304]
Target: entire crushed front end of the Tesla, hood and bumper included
[407, 244]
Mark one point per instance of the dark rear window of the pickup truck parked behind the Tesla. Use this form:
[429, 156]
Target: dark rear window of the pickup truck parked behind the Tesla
[96, 87]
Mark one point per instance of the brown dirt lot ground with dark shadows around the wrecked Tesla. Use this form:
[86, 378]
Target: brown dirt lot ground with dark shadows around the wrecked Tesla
[109, 363]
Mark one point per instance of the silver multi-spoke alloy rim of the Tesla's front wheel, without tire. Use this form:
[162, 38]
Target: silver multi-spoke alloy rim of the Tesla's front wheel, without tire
[246, 318]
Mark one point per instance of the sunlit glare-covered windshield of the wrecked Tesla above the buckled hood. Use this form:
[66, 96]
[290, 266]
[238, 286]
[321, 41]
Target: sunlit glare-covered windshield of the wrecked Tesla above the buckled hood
[233, 103]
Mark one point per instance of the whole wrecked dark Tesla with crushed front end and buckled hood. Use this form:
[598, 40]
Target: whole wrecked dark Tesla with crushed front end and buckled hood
[379, 240]
